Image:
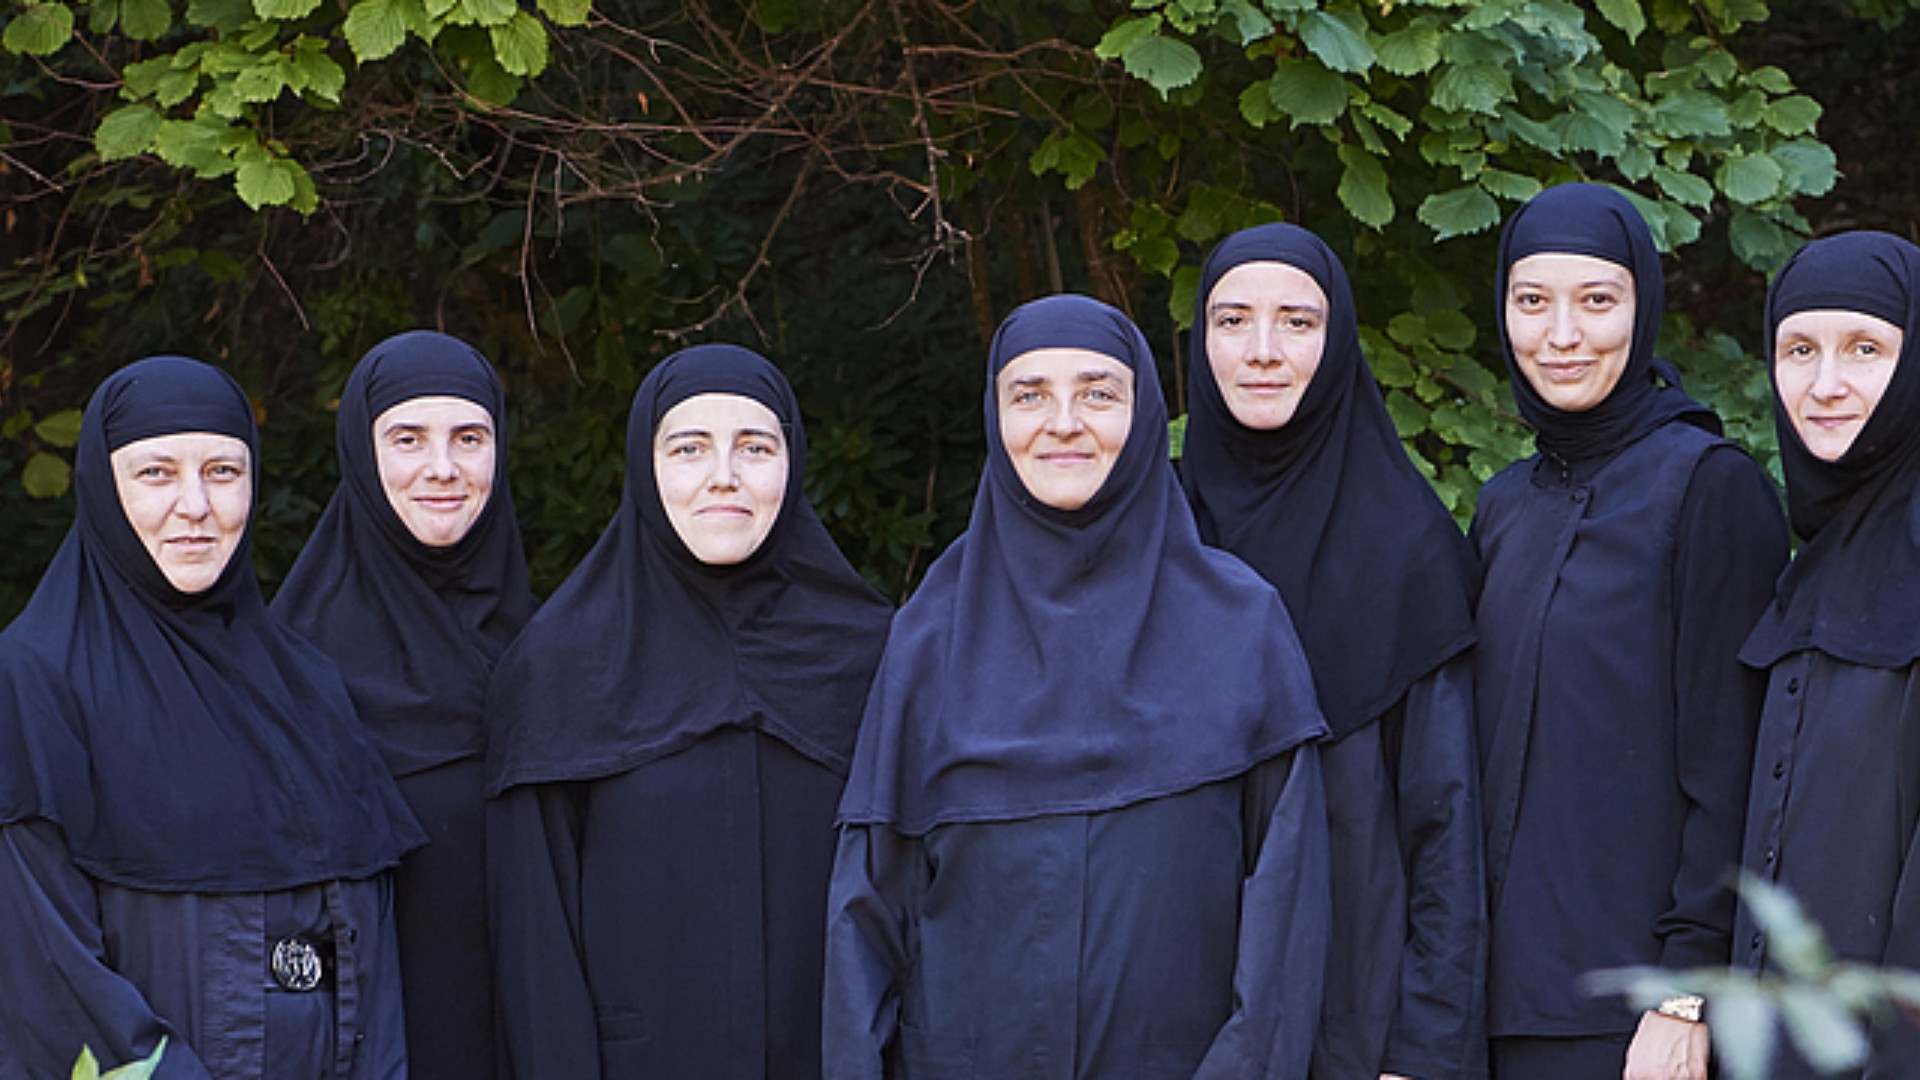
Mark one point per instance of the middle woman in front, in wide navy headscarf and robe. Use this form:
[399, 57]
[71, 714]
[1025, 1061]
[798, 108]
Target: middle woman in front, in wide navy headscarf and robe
[1086, 831]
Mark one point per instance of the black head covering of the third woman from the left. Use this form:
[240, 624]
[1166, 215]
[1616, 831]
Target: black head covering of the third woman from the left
[646, 649]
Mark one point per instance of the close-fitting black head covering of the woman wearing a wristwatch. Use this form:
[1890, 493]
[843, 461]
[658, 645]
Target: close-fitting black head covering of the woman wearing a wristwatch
[1591, 220]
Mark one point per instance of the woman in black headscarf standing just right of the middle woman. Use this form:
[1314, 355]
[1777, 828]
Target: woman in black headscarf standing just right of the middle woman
[1293, 464]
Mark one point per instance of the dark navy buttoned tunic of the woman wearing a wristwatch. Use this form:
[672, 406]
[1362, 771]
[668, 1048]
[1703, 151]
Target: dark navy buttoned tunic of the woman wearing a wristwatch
[1616, 718]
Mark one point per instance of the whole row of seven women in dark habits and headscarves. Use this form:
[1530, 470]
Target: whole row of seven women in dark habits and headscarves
[1253, 772]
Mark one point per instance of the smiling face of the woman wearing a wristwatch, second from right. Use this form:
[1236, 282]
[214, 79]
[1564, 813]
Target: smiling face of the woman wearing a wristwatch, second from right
[1572, 328]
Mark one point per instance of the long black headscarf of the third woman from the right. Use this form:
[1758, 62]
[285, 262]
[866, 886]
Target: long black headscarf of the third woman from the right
[1328, 508]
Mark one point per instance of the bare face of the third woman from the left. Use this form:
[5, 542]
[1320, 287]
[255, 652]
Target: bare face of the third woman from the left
[721, 464]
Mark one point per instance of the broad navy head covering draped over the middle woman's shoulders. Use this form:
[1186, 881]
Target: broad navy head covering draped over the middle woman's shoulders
[1072, 662]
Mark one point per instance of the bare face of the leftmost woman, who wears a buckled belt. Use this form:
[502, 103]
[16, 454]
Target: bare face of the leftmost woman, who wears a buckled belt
[187, 499]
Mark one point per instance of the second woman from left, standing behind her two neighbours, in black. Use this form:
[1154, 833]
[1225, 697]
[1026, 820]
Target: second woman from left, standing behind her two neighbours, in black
[414, 583]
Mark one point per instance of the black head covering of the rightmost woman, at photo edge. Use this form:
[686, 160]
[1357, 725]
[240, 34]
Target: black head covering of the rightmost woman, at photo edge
[1854, 589]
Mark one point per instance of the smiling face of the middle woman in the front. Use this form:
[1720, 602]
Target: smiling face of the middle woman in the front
[1065, 420]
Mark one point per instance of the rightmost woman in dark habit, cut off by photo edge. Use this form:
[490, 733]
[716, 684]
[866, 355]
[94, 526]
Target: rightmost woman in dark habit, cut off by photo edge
[1836, 777]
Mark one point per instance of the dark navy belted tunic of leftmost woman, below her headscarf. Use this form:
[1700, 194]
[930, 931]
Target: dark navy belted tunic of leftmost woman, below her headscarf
[118, 970]
